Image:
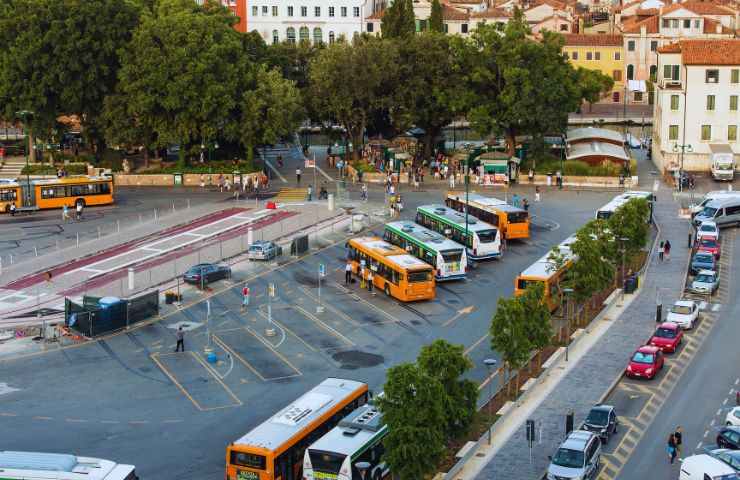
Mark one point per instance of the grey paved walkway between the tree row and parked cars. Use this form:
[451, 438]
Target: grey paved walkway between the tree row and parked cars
[585, 385]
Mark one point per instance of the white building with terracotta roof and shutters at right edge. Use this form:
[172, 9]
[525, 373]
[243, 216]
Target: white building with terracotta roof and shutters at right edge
[696, 102]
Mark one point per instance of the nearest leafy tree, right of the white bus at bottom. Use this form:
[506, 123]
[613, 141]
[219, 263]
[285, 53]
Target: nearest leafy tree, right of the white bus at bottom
[412, 407]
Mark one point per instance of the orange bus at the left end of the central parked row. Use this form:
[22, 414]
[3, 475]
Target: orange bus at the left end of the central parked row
[395, 272]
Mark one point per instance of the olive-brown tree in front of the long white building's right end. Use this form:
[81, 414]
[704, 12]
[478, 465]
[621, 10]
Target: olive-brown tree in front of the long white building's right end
[349, 82]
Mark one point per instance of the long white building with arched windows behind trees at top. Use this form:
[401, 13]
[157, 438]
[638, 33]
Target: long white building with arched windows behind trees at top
[314, 21]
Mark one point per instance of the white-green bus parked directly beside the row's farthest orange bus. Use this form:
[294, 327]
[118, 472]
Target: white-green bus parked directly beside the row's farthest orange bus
[483, 240]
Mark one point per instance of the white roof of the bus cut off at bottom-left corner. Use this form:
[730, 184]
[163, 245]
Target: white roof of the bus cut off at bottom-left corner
[76, 467]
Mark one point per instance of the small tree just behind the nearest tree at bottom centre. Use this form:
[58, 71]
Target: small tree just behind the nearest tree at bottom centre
[448, 363]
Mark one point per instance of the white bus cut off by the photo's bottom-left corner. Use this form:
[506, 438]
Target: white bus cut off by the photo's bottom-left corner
[58, 466]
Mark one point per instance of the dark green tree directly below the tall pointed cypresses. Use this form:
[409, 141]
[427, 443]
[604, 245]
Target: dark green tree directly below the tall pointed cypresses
[429, 95]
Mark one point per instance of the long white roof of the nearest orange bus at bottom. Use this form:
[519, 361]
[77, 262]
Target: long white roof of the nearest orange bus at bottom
[312, 405]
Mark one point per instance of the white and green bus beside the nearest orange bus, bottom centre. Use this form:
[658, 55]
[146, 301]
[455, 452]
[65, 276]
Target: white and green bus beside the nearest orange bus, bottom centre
[357, 438]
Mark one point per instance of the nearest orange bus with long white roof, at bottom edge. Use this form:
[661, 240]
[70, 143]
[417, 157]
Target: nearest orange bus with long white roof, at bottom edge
[274, 450]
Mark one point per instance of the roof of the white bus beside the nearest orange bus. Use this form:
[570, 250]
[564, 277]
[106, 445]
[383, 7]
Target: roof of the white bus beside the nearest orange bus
[353, 432]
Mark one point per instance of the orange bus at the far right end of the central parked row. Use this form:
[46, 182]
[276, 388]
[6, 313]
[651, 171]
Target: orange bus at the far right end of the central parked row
[512, 221]
